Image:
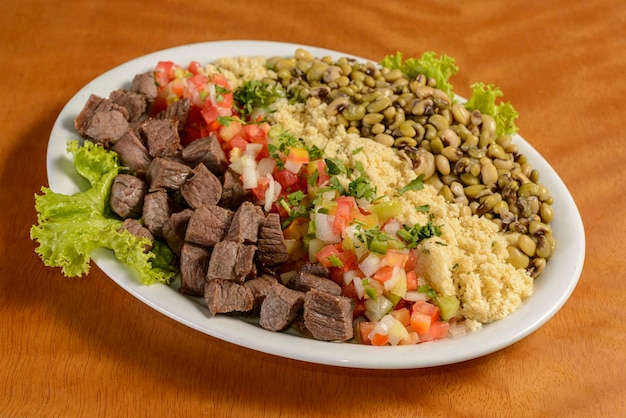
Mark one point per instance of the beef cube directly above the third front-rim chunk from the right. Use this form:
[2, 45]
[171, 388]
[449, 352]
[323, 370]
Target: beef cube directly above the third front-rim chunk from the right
[232, 261]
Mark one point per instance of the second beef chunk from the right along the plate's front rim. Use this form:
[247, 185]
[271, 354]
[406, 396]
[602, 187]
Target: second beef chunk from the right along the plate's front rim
[280, 307]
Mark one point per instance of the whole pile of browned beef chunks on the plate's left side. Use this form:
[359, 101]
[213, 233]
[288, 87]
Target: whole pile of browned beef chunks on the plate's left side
[229, 249]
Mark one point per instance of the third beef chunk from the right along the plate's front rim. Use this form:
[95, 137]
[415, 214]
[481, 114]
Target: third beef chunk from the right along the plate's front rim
[224, 296]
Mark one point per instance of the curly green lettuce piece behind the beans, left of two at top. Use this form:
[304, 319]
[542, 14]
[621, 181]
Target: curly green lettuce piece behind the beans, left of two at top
[440, 68]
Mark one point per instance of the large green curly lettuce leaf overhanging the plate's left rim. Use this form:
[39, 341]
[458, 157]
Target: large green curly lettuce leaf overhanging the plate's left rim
[71, 227]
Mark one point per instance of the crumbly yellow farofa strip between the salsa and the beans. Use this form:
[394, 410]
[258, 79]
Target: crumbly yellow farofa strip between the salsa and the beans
[468, 260]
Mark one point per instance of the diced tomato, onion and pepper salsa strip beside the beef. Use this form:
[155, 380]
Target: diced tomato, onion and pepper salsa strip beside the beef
[348, 230]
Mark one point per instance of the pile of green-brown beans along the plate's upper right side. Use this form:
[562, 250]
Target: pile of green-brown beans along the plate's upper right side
[457, 151]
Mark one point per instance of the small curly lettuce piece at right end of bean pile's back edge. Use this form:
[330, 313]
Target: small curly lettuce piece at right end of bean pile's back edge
[484, 100]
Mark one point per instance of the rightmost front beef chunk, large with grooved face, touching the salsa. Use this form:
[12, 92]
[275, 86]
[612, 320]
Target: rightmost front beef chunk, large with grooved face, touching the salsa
[328, 317]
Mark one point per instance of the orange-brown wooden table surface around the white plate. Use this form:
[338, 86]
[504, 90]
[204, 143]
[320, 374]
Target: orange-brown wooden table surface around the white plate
[85, 347]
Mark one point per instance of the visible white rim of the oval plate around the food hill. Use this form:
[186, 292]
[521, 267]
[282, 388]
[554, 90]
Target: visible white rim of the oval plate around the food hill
[62, 178]
